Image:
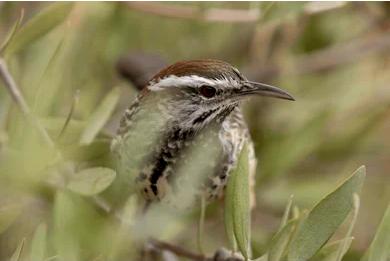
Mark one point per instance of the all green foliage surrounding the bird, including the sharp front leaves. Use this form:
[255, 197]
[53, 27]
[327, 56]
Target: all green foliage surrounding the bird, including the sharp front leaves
[62, 203]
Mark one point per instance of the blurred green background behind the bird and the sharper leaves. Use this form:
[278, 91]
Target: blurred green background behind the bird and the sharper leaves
[333, 57]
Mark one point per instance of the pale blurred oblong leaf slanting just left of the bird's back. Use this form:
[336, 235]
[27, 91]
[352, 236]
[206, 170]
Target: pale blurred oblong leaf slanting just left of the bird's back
[100, 116]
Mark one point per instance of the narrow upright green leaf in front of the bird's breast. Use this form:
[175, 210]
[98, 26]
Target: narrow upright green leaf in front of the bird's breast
[238, 205]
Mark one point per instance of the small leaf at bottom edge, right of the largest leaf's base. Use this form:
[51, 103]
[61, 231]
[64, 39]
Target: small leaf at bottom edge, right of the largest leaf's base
[330, 251]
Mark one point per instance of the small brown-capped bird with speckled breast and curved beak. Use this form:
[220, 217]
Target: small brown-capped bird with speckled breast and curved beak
[181, 106]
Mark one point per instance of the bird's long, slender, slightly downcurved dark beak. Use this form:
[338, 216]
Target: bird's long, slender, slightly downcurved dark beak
[262, 89]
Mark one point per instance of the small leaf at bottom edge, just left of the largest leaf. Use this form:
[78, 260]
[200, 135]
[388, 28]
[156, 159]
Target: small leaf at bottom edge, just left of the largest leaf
[280, 241]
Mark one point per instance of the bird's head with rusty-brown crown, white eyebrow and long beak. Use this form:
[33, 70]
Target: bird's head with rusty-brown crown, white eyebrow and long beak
[203, 90]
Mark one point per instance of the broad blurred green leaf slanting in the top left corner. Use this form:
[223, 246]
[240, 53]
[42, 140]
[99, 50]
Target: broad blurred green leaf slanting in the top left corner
[39, 26]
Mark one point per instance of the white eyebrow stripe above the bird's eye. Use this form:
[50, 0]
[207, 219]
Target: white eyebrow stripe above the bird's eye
[191, 81]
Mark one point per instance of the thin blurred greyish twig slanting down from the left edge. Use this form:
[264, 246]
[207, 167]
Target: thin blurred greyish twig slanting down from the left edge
[17, 96]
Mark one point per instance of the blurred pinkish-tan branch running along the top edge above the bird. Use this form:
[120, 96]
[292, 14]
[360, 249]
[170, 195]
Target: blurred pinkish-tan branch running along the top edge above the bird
[197, 13]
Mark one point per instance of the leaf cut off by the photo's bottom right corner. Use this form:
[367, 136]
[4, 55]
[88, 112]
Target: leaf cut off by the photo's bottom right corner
[380, 247]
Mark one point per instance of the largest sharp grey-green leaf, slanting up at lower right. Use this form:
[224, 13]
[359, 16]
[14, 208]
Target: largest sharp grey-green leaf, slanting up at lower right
[324, 219]
